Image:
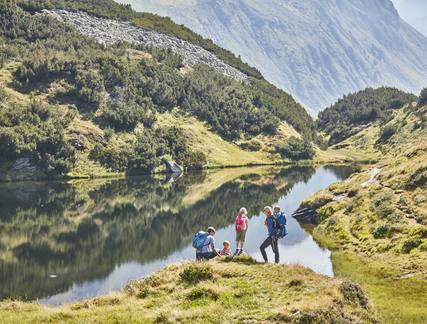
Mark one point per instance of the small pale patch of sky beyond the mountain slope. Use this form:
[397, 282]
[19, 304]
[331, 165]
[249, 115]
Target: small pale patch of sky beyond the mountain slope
[414, 12]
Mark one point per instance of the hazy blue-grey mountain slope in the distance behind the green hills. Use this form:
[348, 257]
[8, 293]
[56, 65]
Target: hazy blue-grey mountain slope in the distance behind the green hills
[316, 50]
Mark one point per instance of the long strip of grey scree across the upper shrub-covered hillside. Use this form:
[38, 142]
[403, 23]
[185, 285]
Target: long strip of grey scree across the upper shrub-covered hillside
[107, 31]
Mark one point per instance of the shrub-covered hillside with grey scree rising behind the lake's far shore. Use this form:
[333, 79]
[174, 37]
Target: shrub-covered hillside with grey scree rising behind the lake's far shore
[79, 100]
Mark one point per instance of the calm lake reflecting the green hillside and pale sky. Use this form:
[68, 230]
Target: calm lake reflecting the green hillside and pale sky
[61, 242]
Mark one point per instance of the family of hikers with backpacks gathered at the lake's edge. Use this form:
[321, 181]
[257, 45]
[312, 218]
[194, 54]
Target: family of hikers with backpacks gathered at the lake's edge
[275, 222]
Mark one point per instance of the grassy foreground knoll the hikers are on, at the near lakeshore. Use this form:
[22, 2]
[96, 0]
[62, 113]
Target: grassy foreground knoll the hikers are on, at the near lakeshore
[216, 293]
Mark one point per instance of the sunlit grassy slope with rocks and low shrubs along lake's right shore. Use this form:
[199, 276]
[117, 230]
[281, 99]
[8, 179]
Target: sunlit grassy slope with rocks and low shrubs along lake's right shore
[377, 221]
